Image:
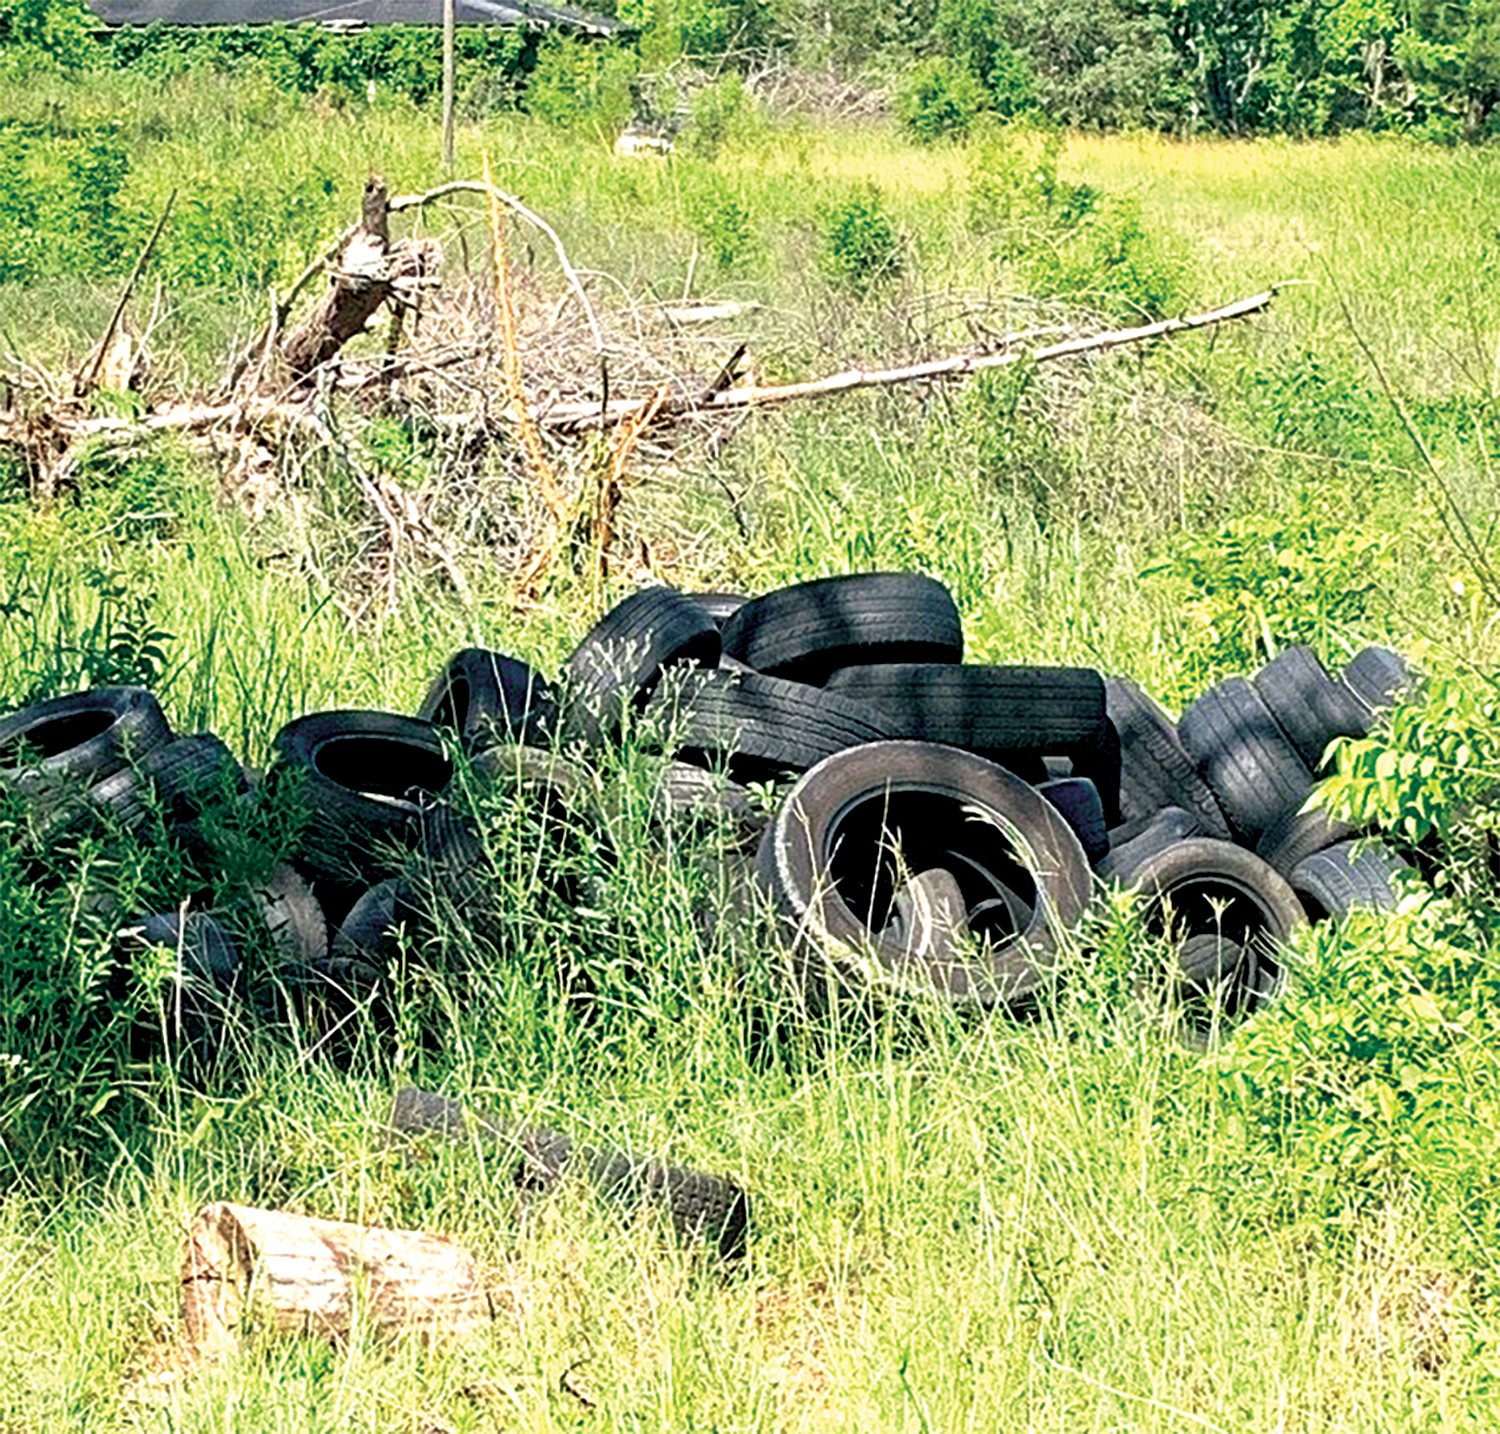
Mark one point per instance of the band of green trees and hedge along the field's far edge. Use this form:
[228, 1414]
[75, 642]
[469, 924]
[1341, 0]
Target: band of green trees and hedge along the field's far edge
[1183, 67]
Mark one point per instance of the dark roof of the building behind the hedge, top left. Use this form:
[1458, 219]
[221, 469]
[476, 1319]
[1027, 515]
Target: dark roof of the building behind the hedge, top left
[346, 13]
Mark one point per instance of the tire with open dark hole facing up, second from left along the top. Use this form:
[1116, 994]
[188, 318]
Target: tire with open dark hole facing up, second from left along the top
[364, 781]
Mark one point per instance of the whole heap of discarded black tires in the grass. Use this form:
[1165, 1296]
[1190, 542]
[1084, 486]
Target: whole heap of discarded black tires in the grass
[943, 827]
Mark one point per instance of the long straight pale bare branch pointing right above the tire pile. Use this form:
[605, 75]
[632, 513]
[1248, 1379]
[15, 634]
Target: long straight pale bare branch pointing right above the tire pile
[578, 418]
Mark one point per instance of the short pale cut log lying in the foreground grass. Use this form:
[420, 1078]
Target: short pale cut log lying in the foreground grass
[301, 1276]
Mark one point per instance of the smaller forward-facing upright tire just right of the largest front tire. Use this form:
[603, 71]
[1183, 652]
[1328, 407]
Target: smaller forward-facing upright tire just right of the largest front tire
[1202, 886]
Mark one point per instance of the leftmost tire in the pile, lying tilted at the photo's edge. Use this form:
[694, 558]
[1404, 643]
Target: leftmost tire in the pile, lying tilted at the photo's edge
[80, 739]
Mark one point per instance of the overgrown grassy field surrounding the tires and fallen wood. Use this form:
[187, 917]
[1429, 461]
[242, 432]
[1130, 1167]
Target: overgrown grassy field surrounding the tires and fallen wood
[1054, 1222]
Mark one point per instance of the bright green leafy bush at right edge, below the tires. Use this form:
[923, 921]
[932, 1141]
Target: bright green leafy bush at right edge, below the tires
[1379, 1076]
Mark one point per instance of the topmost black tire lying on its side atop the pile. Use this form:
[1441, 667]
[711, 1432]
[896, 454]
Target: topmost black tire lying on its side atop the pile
[809, 631]
